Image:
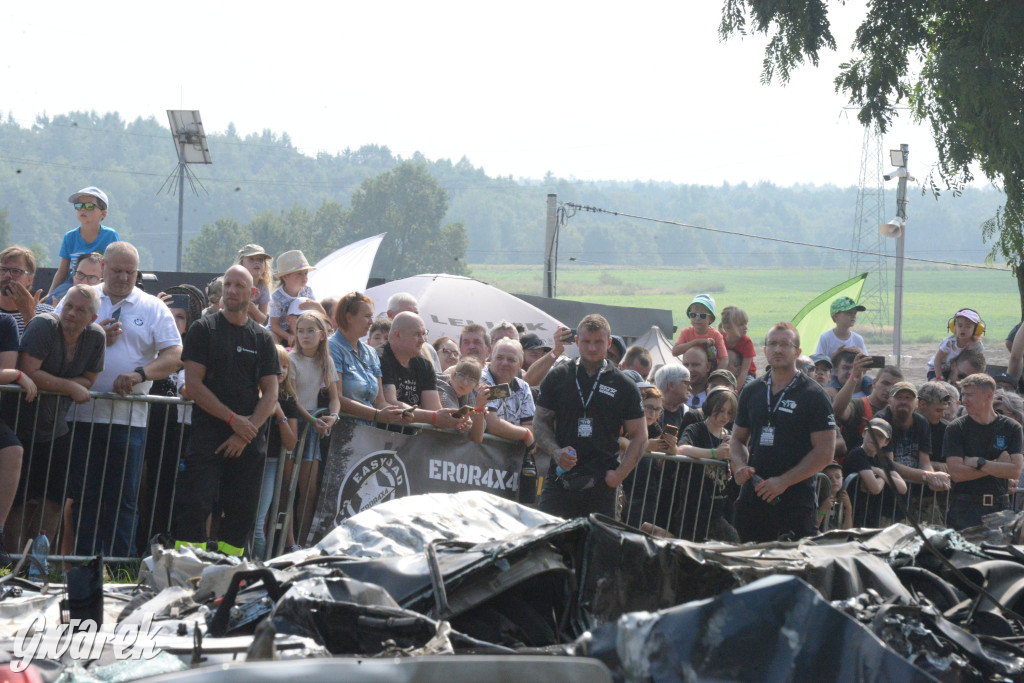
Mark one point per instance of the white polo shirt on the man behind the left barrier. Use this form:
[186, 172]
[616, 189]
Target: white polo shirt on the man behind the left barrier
[148, 328]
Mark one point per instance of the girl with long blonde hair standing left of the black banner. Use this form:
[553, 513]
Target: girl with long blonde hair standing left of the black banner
[314, 371]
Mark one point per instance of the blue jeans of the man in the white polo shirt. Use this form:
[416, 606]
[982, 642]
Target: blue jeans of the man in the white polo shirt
[107, 513]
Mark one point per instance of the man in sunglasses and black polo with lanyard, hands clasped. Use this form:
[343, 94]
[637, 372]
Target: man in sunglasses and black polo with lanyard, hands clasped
[789, 421]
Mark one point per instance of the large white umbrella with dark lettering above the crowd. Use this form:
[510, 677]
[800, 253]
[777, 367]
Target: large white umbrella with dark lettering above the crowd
[450, 303]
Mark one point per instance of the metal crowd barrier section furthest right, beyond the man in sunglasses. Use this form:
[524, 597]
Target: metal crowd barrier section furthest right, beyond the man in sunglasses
[926, 506]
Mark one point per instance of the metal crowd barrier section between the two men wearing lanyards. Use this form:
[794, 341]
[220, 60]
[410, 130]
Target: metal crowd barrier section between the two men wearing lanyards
[688, 498]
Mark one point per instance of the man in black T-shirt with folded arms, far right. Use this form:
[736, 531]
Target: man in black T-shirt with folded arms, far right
[984, 454]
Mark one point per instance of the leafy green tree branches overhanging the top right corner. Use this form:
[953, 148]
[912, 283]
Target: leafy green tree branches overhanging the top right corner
[970, 87]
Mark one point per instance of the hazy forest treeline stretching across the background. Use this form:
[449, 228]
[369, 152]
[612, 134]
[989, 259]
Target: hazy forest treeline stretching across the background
[440, 216]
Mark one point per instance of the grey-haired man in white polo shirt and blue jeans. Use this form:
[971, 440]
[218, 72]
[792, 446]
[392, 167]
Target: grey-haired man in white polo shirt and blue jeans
[143, 346]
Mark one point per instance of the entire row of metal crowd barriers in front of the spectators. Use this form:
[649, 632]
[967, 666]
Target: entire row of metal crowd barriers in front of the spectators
[104, 488]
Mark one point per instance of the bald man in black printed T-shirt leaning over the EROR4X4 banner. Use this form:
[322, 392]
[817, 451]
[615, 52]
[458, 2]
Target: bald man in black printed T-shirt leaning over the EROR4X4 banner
[409, 378]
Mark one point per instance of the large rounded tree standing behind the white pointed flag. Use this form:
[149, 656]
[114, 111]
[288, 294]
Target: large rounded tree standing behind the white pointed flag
[409, 204]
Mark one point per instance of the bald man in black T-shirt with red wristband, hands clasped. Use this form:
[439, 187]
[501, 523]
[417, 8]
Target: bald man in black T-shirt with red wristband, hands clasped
[232, 373]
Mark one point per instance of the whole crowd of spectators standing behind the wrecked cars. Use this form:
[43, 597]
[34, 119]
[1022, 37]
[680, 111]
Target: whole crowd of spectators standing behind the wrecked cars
[269, 366]
